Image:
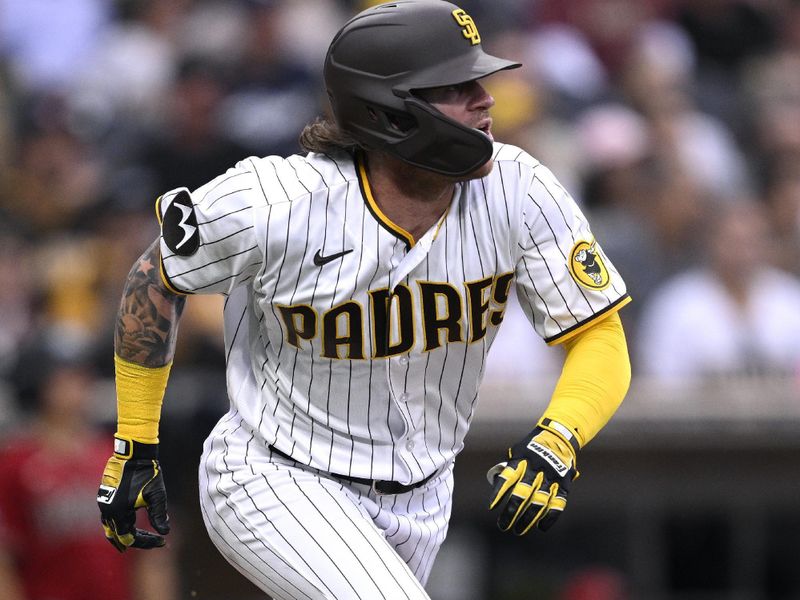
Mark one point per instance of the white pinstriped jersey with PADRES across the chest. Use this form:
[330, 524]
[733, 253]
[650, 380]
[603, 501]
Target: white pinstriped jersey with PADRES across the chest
[350, 345]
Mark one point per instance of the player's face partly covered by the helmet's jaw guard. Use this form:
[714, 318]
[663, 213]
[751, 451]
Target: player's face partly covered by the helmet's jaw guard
[467, 103]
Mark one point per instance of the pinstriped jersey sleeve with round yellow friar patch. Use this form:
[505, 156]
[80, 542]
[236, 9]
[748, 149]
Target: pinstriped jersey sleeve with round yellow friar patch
[564, 280]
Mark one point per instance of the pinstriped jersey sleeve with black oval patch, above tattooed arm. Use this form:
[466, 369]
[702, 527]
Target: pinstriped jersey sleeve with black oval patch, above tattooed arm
[208, 238]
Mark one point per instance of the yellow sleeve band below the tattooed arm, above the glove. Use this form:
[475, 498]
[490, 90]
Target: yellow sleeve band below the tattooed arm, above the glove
[140, 392]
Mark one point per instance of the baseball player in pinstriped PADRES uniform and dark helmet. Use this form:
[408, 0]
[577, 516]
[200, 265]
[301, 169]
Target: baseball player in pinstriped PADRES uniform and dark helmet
[364, 283]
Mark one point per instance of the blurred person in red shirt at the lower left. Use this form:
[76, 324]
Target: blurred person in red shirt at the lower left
[49, 548]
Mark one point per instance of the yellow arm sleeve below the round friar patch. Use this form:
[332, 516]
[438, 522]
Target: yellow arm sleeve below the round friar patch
[594, 380]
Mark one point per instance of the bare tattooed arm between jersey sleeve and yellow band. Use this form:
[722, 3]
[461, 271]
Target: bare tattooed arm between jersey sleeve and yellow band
[147, 321]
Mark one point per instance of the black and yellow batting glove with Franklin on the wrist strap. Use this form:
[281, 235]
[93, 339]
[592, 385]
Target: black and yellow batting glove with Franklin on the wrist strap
[531, 487]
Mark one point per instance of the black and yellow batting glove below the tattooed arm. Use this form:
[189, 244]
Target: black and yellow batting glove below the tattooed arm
[131, 480]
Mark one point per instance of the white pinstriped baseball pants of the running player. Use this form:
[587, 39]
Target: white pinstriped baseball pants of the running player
[298, 533]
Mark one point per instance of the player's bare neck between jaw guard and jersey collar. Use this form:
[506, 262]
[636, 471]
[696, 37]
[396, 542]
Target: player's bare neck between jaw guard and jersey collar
[413, 198]
